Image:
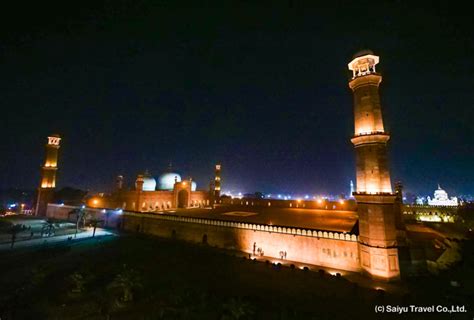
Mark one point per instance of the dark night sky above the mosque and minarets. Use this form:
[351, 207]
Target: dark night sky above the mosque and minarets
[261, 88]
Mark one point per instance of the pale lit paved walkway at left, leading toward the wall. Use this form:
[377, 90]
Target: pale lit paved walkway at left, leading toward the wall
[56, 239]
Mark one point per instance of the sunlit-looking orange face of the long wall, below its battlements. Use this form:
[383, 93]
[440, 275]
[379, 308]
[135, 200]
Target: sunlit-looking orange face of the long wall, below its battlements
[333, 253]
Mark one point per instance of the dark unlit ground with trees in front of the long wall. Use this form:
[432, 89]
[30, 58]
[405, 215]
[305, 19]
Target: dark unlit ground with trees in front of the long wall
[131, 277]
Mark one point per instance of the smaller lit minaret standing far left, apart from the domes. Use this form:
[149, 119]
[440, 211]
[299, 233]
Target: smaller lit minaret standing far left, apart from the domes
[48, 176]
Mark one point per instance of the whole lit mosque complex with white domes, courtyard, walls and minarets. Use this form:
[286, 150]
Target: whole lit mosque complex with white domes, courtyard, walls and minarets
[371, 238]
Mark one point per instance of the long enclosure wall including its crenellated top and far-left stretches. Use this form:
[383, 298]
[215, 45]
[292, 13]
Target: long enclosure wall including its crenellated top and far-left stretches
[329, 249]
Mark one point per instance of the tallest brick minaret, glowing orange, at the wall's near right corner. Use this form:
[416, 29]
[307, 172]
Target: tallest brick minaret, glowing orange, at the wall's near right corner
[378, 243]
